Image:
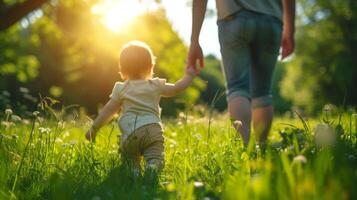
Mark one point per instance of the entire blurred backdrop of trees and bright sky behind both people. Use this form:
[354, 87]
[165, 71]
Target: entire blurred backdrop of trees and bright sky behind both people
[68, 50]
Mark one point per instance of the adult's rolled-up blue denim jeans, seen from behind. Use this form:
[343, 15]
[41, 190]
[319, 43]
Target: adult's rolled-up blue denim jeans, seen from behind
[250, 45]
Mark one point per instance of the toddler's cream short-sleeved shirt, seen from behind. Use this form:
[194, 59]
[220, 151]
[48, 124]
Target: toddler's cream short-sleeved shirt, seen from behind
[140, 103]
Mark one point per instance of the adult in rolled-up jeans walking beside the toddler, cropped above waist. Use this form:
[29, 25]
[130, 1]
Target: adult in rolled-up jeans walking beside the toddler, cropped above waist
[250, 35]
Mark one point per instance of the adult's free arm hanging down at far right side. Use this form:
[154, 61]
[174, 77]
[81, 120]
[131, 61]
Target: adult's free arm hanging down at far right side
[288, 43]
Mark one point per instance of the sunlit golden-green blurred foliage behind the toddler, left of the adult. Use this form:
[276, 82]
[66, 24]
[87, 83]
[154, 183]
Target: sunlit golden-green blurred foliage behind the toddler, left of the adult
[69, 53]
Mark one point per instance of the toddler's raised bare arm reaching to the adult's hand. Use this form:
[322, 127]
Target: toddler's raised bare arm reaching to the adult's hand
[170, 89]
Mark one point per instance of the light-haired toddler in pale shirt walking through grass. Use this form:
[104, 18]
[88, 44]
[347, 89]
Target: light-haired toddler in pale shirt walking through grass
[138, 99]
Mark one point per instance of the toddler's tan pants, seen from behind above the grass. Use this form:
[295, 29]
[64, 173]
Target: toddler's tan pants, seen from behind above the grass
[147, 141]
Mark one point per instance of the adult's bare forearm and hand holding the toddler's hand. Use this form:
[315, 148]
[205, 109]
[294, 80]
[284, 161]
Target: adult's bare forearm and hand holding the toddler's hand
[195, 52]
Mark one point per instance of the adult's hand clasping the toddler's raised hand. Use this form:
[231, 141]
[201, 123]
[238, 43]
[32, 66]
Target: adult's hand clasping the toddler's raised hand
[195, 57]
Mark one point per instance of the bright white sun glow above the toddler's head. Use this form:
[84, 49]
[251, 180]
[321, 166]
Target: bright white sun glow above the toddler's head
[116, 14]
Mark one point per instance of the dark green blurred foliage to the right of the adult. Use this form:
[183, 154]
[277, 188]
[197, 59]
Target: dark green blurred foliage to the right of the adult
[324, 67]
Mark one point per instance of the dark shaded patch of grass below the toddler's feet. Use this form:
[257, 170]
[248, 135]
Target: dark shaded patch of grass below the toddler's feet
[118, 184]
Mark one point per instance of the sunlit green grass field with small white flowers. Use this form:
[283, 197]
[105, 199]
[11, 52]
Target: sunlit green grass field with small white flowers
[46, 157]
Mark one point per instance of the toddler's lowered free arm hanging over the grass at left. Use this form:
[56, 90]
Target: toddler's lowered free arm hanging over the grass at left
[104, 116]
